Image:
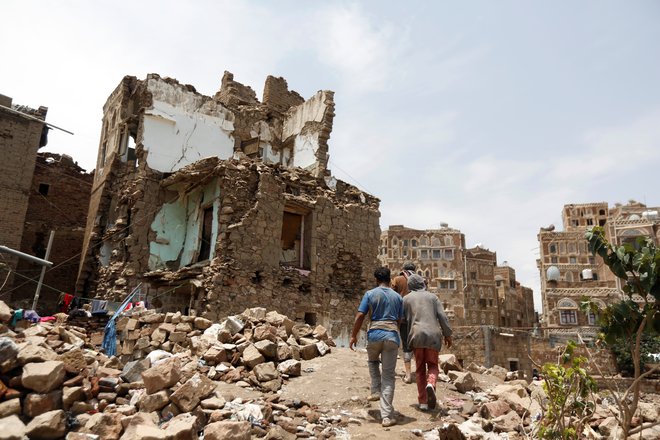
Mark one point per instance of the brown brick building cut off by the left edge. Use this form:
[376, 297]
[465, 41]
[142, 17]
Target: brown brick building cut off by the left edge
[21, 136]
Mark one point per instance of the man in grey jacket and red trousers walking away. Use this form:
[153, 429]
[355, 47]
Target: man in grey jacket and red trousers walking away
[427, 325]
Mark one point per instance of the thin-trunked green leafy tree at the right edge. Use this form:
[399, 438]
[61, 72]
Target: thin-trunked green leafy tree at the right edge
[638, 266]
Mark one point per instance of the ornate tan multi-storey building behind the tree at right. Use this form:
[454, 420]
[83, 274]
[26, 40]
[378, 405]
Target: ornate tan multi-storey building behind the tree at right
[569, 272]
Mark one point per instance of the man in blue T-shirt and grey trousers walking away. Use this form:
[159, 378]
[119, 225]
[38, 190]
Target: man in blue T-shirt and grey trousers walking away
[386, 308]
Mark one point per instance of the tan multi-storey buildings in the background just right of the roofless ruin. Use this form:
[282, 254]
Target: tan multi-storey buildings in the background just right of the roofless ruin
[467, 281]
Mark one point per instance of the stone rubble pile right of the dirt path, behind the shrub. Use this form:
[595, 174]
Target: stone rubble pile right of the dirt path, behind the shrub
[495, 403]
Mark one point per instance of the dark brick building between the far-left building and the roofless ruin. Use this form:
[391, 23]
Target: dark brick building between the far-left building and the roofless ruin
[58, 201]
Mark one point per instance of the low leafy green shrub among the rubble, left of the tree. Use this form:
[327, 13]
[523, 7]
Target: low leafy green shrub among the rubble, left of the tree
[570, 397]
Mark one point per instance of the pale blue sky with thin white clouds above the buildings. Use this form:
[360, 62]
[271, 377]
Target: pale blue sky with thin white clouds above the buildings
[489, 116]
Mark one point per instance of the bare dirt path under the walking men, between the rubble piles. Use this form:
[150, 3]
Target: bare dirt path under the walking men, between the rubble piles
[339, 383]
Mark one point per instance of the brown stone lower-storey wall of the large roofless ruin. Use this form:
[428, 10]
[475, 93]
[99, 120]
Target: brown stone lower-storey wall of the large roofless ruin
[246, 271]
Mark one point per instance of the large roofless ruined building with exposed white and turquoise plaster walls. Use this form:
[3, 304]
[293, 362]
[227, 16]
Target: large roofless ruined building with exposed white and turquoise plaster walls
[216, 204]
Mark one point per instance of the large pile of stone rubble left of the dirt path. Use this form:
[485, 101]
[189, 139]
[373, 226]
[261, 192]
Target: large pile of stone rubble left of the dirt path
[55, 384]
